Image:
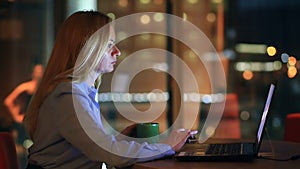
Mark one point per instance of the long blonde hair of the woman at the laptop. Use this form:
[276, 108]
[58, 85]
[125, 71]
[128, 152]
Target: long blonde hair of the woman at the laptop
[78, 49]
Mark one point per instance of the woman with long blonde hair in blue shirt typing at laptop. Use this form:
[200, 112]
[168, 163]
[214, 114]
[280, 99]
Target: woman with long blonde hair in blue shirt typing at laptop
[64, 120]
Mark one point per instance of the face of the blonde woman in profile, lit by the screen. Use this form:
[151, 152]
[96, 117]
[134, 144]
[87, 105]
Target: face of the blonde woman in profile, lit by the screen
[109, 58]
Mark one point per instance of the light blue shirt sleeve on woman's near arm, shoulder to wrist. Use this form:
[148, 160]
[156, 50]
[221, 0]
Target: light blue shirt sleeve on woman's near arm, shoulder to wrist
[80, 125]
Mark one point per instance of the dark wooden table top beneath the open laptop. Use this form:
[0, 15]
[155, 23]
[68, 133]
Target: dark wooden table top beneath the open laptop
[280, 150]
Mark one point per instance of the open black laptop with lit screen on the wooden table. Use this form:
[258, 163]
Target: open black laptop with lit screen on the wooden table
[241, 151]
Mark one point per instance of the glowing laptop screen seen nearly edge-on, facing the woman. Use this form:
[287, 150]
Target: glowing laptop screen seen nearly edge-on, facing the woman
[265, 113]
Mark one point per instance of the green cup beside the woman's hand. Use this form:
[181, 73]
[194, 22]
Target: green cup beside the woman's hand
[149, 131]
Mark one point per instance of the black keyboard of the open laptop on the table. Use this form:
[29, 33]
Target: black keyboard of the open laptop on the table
[231, 148]
